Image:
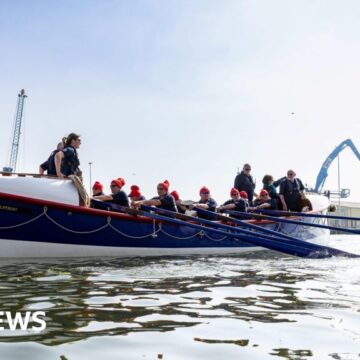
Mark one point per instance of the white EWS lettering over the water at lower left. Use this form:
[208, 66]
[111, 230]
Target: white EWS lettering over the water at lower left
[21, 321]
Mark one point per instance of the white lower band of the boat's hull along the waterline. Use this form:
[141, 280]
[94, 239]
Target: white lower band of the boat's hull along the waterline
[31, 249]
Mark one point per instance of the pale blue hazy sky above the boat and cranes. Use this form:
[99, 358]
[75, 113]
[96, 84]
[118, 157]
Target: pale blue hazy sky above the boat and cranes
[185, 90]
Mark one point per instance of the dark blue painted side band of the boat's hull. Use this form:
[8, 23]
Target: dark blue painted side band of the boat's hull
[63, 227]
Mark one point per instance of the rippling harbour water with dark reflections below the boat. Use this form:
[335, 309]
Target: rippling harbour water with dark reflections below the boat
[256, 307]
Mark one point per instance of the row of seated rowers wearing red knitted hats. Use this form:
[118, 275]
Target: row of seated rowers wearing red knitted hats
[171, 200]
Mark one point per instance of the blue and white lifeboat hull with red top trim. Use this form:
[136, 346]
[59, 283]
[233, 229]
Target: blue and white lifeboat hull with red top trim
[39, 228]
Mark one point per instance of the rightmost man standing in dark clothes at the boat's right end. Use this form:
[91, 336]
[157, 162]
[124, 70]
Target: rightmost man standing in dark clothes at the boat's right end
[291, 191]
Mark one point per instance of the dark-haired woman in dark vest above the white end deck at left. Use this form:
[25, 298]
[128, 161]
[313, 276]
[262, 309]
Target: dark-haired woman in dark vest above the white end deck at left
[67, 160]
